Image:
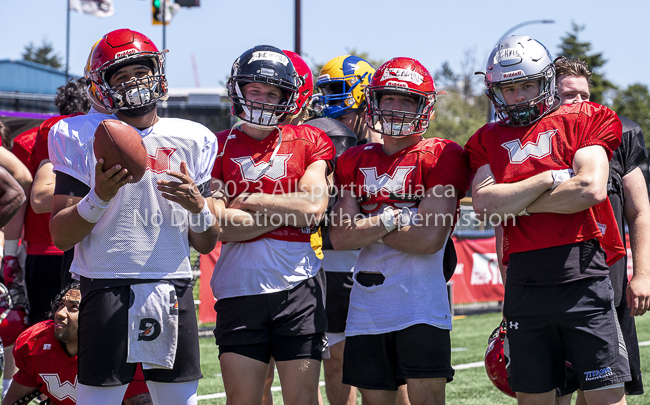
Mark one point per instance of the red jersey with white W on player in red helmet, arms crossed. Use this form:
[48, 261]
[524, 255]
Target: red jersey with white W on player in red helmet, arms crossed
[431, 163]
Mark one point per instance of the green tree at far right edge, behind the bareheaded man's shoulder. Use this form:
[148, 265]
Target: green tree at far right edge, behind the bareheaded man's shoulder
[634, 103]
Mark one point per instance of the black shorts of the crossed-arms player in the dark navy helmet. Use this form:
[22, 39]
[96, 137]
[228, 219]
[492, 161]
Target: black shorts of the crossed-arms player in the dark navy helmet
[287, 325]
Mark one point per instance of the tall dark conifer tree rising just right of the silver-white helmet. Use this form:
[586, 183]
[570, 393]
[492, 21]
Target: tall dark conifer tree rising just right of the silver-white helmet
[572, 47]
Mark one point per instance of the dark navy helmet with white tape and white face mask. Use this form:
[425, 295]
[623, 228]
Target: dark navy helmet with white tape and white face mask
[269, 65]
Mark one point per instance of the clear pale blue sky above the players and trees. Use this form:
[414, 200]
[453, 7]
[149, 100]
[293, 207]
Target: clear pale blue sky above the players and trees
[429, 30]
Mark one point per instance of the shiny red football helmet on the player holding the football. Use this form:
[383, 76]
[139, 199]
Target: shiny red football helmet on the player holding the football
[122, 47]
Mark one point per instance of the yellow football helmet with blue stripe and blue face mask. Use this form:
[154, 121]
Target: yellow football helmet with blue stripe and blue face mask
[341, 84]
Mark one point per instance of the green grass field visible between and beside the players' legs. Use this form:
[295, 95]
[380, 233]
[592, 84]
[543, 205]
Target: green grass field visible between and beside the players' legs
[470, 386]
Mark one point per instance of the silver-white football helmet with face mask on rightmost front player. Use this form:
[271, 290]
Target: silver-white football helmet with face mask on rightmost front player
[519, 59]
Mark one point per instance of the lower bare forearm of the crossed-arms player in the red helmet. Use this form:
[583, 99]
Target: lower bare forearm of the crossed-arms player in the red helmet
[416, 239]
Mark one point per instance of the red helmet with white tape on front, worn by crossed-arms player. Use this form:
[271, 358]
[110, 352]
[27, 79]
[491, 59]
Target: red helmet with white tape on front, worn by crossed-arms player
[406, 77]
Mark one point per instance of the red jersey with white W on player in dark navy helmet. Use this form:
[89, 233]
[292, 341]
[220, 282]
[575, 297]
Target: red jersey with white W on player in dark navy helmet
[244, 166]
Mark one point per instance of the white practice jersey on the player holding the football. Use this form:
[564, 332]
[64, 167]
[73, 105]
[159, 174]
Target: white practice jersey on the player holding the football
[141, 234]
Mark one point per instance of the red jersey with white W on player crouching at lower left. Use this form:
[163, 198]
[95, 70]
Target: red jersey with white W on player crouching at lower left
[43, 364]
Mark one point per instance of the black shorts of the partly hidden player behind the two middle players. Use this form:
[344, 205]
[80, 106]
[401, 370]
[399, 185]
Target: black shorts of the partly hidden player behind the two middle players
[339, 286]
